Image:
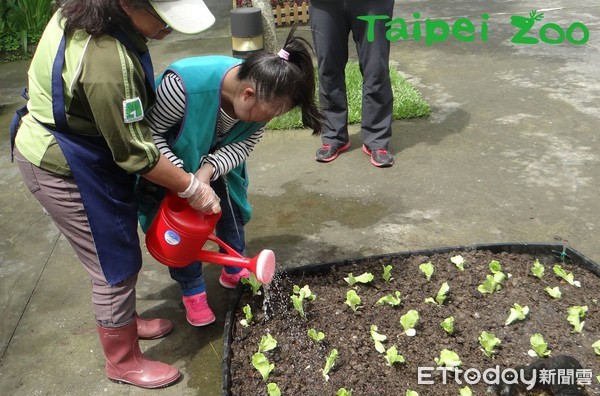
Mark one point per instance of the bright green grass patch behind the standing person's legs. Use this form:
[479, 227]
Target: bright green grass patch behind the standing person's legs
[408, 102]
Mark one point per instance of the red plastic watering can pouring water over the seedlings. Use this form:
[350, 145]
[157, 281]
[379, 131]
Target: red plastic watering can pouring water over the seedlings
[178, 233]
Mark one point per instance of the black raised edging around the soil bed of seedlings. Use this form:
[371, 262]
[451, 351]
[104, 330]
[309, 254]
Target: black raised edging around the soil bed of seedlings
[537, 250]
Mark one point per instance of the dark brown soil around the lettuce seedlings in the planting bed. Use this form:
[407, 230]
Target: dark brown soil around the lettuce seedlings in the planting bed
[299, 361]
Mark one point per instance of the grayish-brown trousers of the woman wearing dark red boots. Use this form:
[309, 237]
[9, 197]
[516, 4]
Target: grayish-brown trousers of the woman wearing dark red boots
[114, 306]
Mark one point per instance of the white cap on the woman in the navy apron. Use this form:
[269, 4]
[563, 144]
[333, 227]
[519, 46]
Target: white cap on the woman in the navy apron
[185, 16]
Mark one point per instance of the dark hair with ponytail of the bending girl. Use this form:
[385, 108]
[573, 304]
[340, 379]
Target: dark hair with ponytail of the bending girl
[276, 77]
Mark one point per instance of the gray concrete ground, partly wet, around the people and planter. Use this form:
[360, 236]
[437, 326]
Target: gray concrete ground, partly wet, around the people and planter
[510, 154]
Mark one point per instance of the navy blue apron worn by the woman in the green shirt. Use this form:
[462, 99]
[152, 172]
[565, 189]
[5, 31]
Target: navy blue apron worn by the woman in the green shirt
[106, 189]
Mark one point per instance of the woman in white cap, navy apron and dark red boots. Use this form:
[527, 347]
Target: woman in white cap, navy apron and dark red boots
[84, 140]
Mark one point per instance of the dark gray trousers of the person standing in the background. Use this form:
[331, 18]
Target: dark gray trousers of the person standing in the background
[331, 22]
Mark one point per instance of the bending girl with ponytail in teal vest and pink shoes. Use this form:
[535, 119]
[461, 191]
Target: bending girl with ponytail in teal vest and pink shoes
[210, 113]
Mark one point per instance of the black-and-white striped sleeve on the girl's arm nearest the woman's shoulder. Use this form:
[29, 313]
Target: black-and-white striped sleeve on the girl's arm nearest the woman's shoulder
[167, 112]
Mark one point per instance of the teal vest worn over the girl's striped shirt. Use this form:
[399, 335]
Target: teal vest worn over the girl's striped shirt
[202, 79]
